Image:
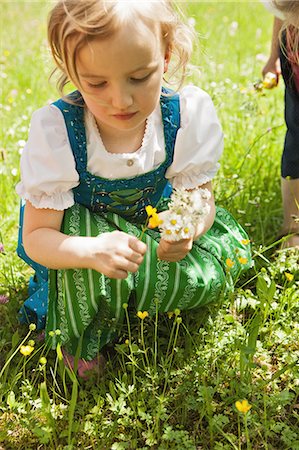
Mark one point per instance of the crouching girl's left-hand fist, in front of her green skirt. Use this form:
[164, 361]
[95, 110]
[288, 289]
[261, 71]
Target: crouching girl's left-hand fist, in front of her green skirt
[117, 253]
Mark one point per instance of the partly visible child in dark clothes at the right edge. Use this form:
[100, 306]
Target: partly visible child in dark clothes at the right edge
[284, 57]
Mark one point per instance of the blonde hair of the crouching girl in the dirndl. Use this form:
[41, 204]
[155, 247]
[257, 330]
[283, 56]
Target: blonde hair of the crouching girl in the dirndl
[74, 23]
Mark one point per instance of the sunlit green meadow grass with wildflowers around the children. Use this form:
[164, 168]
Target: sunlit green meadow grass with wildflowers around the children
[170, 383]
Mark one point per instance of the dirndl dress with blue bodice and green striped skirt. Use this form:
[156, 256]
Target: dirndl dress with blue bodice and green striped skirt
[85, 305]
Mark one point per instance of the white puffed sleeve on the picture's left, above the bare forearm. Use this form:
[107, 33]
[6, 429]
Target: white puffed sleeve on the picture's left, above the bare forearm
[48, 171]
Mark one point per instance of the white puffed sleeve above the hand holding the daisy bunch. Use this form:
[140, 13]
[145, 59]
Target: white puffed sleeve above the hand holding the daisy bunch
[199, 141]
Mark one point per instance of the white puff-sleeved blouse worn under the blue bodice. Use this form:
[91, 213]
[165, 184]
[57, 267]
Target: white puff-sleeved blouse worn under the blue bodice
[48, 171]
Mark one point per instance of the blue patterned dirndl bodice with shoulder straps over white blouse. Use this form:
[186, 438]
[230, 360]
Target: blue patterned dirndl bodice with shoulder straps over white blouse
[127, 197]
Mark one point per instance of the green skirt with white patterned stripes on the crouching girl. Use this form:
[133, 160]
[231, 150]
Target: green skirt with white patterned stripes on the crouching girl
[87, 307]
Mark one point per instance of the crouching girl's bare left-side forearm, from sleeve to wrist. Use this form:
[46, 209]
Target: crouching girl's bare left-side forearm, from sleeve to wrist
[55, 250]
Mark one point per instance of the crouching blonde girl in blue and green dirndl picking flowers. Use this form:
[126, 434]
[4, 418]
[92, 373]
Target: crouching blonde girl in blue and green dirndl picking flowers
[96, 158]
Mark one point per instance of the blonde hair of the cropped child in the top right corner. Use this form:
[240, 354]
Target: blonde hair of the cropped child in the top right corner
[290, 10]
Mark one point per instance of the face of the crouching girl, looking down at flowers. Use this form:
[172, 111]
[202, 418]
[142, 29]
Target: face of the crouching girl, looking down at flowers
[121, 77]
